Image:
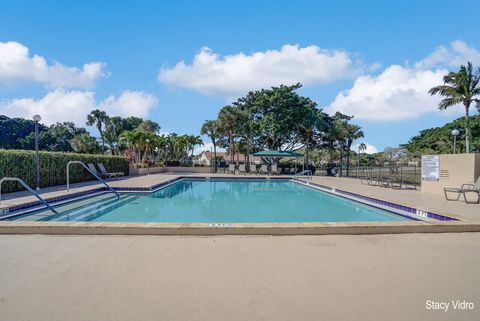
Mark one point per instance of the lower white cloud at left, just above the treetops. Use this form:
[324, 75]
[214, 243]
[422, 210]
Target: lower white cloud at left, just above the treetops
[61, 105]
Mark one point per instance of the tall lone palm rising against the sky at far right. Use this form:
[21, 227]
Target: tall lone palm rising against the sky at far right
[460, 87]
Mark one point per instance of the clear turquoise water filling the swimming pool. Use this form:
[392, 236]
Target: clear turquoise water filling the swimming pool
[220, 201]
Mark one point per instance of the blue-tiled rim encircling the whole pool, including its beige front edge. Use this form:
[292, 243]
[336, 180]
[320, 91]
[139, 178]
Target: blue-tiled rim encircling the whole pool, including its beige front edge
[431, 225]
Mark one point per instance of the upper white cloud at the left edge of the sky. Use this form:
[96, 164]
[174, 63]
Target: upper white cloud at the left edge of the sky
[16, 65]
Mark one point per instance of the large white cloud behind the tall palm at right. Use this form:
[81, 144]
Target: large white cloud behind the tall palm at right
[401, 92]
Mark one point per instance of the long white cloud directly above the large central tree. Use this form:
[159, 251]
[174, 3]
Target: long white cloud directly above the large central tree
[212, 73]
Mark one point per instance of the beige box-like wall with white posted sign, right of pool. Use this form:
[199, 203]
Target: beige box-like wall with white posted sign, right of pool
[448, 170]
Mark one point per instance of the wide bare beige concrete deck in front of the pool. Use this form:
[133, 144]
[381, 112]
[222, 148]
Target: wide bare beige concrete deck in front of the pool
[351, 277]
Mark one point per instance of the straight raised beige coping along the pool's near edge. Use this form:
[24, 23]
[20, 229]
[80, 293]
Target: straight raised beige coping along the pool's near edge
[206, 229]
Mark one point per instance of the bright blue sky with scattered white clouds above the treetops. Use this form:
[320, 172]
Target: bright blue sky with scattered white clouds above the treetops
[373, 59]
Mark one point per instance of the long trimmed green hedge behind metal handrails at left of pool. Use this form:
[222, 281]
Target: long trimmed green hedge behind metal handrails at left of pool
[53, 171]
